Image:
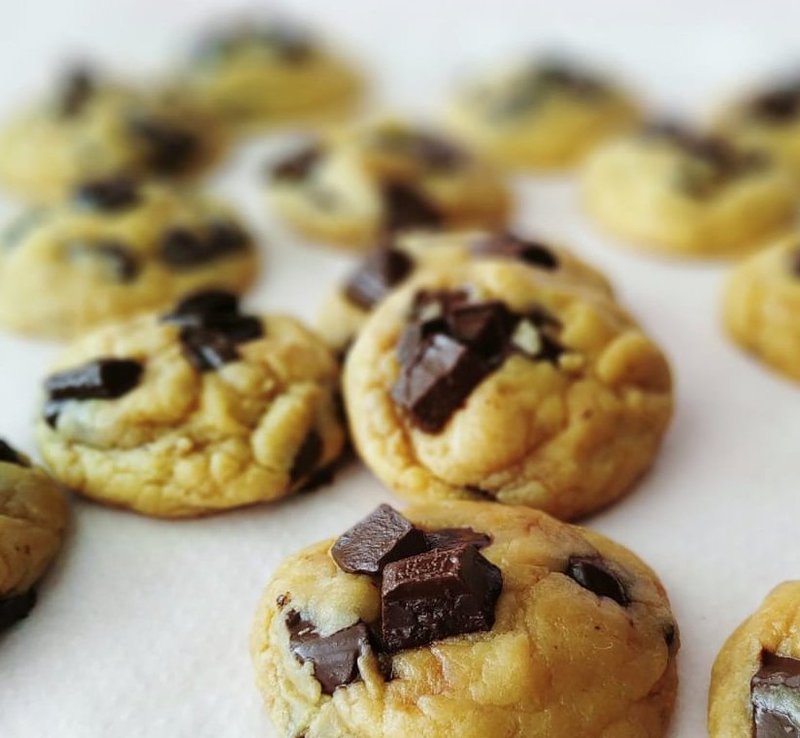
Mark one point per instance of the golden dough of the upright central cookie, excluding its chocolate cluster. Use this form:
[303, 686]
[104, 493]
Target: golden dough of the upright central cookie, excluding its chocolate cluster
[568, 438]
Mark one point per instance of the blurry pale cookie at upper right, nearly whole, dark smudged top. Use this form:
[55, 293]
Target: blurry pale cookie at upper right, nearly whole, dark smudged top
[671, 190]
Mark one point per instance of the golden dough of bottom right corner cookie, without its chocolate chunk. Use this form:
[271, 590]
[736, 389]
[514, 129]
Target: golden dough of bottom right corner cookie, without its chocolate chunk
[774, 627]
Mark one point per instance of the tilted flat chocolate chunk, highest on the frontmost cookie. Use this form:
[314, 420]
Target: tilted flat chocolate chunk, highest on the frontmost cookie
[381, 538]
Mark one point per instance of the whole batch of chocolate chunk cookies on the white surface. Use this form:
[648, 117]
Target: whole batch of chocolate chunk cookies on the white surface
[488, 378]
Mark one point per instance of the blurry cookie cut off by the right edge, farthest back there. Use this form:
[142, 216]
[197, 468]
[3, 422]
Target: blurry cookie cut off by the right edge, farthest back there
[767, 120]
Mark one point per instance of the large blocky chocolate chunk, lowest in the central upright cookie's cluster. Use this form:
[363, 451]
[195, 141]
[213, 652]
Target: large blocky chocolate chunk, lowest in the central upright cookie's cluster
[439, 380]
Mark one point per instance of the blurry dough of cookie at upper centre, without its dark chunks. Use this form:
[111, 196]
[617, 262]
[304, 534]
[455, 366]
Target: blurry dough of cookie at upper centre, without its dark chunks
[340, 201]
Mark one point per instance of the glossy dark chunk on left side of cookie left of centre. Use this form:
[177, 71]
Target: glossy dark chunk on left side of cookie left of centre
[102, 379]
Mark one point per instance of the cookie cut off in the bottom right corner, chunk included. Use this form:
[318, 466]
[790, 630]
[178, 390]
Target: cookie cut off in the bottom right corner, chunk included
[755, 682]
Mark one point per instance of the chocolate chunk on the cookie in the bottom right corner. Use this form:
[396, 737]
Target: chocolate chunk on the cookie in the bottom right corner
[775, 697]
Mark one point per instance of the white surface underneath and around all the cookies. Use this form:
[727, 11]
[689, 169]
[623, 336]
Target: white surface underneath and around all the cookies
[142, 628]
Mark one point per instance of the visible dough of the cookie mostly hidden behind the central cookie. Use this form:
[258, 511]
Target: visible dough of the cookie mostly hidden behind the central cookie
[340, 319]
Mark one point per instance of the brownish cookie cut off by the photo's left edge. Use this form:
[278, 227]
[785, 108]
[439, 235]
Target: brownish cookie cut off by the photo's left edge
[33, 516]
